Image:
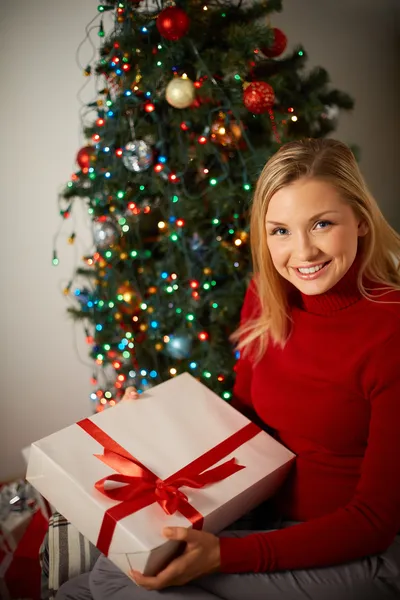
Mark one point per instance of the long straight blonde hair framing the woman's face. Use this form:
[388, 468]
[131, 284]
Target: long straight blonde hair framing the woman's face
[333, 162]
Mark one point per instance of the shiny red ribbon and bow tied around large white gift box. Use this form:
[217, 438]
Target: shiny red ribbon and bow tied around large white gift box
[142, 487]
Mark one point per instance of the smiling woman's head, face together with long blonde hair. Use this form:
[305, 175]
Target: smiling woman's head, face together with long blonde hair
[312, 209]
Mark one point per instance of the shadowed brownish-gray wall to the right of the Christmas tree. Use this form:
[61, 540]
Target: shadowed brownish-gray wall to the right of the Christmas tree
[358, 42]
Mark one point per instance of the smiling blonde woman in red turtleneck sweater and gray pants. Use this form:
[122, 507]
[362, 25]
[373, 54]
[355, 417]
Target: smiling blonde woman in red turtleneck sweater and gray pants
[320, 366]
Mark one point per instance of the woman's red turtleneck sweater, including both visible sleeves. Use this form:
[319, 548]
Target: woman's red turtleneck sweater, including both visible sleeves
[332, 396]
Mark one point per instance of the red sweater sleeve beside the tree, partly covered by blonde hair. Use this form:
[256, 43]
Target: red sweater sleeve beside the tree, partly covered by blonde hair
[242, 389]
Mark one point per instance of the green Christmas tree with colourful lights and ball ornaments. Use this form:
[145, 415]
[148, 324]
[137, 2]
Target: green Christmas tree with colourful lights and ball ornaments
[191, 100]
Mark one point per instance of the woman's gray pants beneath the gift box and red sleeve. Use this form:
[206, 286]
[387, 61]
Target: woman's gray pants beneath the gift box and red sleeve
[373, 578]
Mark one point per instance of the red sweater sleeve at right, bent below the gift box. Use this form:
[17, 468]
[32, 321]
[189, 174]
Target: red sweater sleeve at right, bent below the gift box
[368, 524]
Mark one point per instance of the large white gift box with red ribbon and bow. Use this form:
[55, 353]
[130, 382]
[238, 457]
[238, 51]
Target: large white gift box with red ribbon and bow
[150, 456]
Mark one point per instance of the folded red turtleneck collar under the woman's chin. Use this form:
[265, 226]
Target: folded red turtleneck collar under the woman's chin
[343, 294]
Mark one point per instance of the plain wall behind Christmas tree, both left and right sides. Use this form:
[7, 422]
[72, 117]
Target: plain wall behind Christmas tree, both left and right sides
[44, 370]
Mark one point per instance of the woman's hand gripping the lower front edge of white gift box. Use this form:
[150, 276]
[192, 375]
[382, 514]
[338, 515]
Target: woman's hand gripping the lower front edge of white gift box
[200, 557]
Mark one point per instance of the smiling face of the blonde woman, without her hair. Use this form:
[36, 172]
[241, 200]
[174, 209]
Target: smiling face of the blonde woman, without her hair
[312, 235]
